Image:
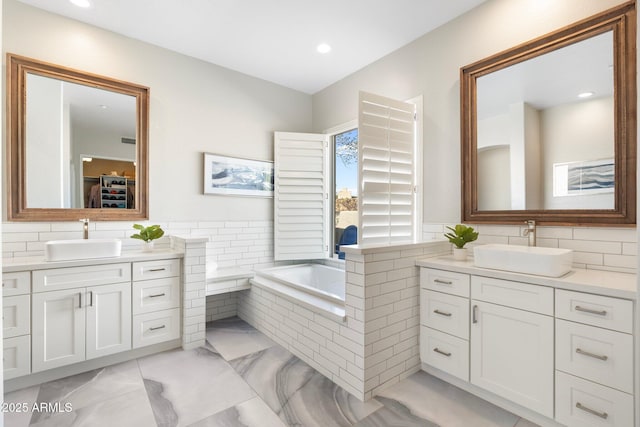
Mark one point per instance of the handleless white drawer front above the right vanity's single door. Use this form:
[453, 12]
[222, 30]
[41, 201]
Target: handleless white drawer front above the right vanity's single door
[524, 296]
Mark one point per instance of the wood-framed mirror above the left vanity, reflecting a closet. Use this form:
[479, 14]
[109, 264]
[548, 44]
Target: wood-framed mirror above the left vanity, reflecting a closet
[77, 144]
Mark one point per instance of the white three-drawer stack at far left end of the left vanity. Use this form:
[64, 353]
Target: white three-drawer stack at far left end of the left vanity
[16, 301]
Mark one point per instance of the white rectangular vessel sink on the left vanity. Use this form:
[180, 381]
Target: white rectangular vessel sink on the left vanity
[68, 250]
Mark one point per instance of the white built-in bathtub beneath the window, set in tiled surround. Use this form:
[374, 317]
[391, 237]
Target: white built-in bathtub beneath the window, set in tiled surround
[315, 286]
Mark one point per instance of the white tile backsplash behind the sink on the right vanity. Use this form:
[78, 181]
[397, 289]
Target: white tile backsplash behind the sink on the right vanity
[602, 248]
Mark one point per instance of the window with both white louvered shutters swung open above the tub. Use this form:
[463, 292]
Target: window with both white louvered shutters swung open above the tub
[386, 199]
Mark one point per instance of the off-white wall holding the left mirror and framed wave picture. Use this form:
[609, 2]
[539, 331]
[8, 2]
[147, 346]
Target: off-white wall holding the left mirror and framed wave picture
[195, 107]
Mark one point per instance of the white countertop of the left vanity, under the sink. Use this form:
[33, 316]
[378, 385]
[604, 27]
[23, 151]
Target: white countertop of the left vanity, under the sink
[38, 263]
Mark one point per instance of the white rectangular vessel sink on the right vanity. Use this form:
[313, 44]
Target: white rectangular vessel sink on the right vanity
[551, 262]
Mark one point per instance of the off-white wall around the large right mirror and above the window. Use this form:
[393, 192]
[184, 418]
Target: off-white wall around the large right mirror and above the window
[431, 65]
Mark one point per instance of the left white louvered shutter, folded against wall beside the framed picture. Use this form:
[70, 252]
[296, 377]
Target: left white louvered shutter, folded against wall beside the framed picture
[300, 196]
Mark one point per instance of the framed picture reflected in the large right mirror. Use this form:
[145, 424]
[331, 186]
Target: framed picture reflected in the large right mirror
[583, 178]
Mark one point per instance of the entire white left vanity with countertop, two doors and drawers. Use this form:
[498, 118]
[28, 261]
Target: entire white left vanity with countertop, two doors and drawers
[62, 318]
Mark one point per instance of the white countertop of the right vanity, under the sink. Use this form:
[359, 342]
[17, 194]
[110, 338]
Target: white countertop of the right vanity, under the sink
[602, 282]
